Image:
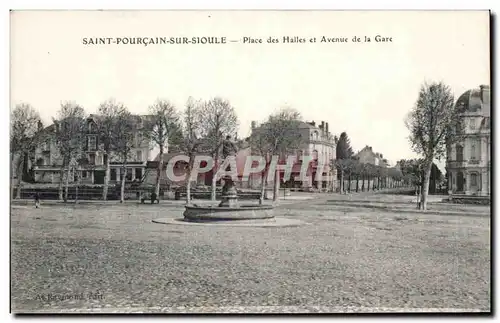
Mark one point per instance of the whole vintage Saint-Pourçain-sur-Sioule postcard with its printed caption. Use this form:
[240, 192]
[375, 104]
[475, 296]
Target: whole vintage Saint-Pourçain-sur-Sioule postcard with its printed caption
[250, 161]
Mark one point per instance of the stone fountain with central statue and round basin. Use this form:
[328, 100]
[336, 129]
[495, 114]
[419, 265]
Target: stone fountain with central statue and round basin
[229, 208]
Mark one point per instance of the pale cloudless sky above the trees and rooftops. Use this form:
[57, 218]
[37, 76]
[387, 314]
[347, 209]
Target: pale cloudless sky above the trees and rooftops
[363, 88]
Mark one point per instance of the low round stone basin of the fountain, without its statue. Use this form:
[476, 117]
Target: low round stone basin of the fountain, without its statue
[222, 213]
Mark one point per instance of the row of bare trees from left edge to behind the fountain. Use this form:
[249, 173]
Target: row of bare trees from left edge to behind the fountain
[201, 129]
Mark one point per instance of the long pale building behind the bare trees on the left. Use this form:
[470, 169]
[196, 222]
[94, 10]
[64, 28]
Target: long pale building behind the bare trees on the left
[48, 161]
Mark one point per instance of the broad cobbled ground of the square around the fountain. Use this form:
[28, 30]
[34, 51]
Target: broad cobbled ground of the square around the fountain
[112, 258]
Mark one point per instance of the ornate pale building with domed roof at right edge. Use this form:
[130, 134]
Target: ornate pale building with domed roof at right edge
[468, 161]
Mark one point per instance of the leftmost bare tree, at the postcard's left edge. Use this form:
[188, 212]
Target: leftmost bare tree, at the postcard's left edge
[24, 127]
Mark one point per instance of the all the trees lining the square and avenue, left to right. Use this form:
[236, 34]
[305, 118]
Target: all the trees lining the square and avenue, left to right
[202, 127]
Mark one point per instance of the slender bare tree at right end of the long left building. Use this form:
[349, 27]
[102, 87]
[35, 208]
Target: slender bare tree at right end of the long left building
[163, 125]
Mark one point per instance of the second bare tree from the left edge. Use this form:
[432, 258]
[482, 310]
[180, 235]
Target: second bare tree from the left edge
[70, 138]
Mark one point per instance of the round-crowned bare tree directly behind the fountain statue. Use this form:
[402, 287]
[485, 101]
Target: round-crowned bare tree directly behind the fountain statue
[219, 120]
